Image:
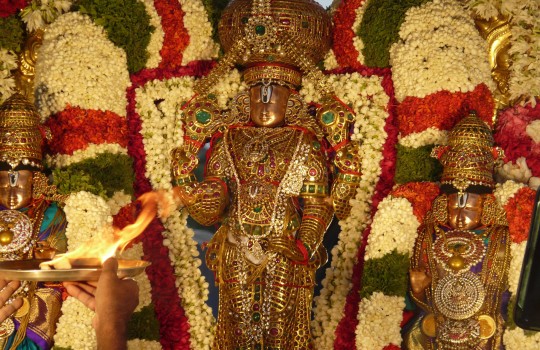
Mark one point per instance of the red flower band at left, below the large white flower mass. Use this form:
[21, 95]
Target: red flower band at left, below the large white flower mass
[75, 128]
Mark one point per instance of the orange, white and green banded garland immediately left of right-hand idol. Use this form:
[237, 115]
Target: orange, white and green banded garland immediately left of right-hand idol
[402, 211]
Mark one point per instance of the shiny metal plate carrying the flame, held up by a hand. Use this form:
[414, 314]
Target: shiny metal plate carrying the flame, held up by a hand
[28, 270]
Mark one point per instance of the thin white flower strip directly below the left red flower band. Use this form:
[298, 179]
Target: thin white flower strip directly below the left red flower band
[92, 151]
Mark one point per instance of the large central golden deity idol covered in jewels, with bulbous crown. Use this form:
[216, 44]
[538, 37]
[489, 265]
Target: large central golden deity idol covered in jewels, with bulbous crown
[267, 180]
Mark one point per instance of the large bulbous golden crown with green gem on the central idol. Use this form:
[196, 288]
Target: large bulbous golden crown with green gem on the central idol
[277, 40]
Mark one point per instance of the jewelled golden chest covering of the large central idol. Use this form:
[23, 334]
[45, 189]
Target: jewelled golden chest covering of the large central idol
[264, 160]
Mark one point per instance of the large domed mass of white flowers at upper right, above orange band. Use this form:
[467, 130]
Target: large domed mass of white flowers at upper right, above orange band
[436, 38]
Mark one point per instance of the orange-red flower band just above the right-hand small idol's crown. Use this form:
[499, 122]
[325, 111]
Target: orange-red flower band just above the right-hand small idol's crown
[443, 109]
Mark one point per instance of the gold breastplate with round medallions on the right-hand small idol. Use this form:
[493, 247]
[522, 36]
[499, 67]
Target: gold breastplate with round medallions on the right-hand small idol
[465, 296]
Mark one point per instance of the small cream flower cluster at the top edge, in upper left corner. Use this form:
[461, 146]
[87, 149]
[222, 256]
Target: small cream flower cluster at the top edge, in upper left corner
[42, 12]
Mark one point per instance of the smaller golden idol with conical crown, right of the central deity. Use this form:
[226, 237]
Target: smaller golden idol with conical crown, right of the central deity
[459, 270]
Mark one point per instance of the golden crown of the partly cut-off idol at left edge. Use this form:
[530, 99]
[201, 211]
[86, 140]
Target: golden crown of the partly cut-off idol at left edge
[20, 135]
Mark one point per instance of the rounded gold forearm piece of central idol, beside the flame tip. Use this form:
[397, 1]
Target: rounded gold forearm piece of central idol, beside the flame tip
[211, 199]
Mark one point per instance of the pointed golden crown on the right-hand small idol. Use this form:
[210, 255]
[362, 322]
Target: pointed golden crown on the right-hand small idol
[469, 158]
